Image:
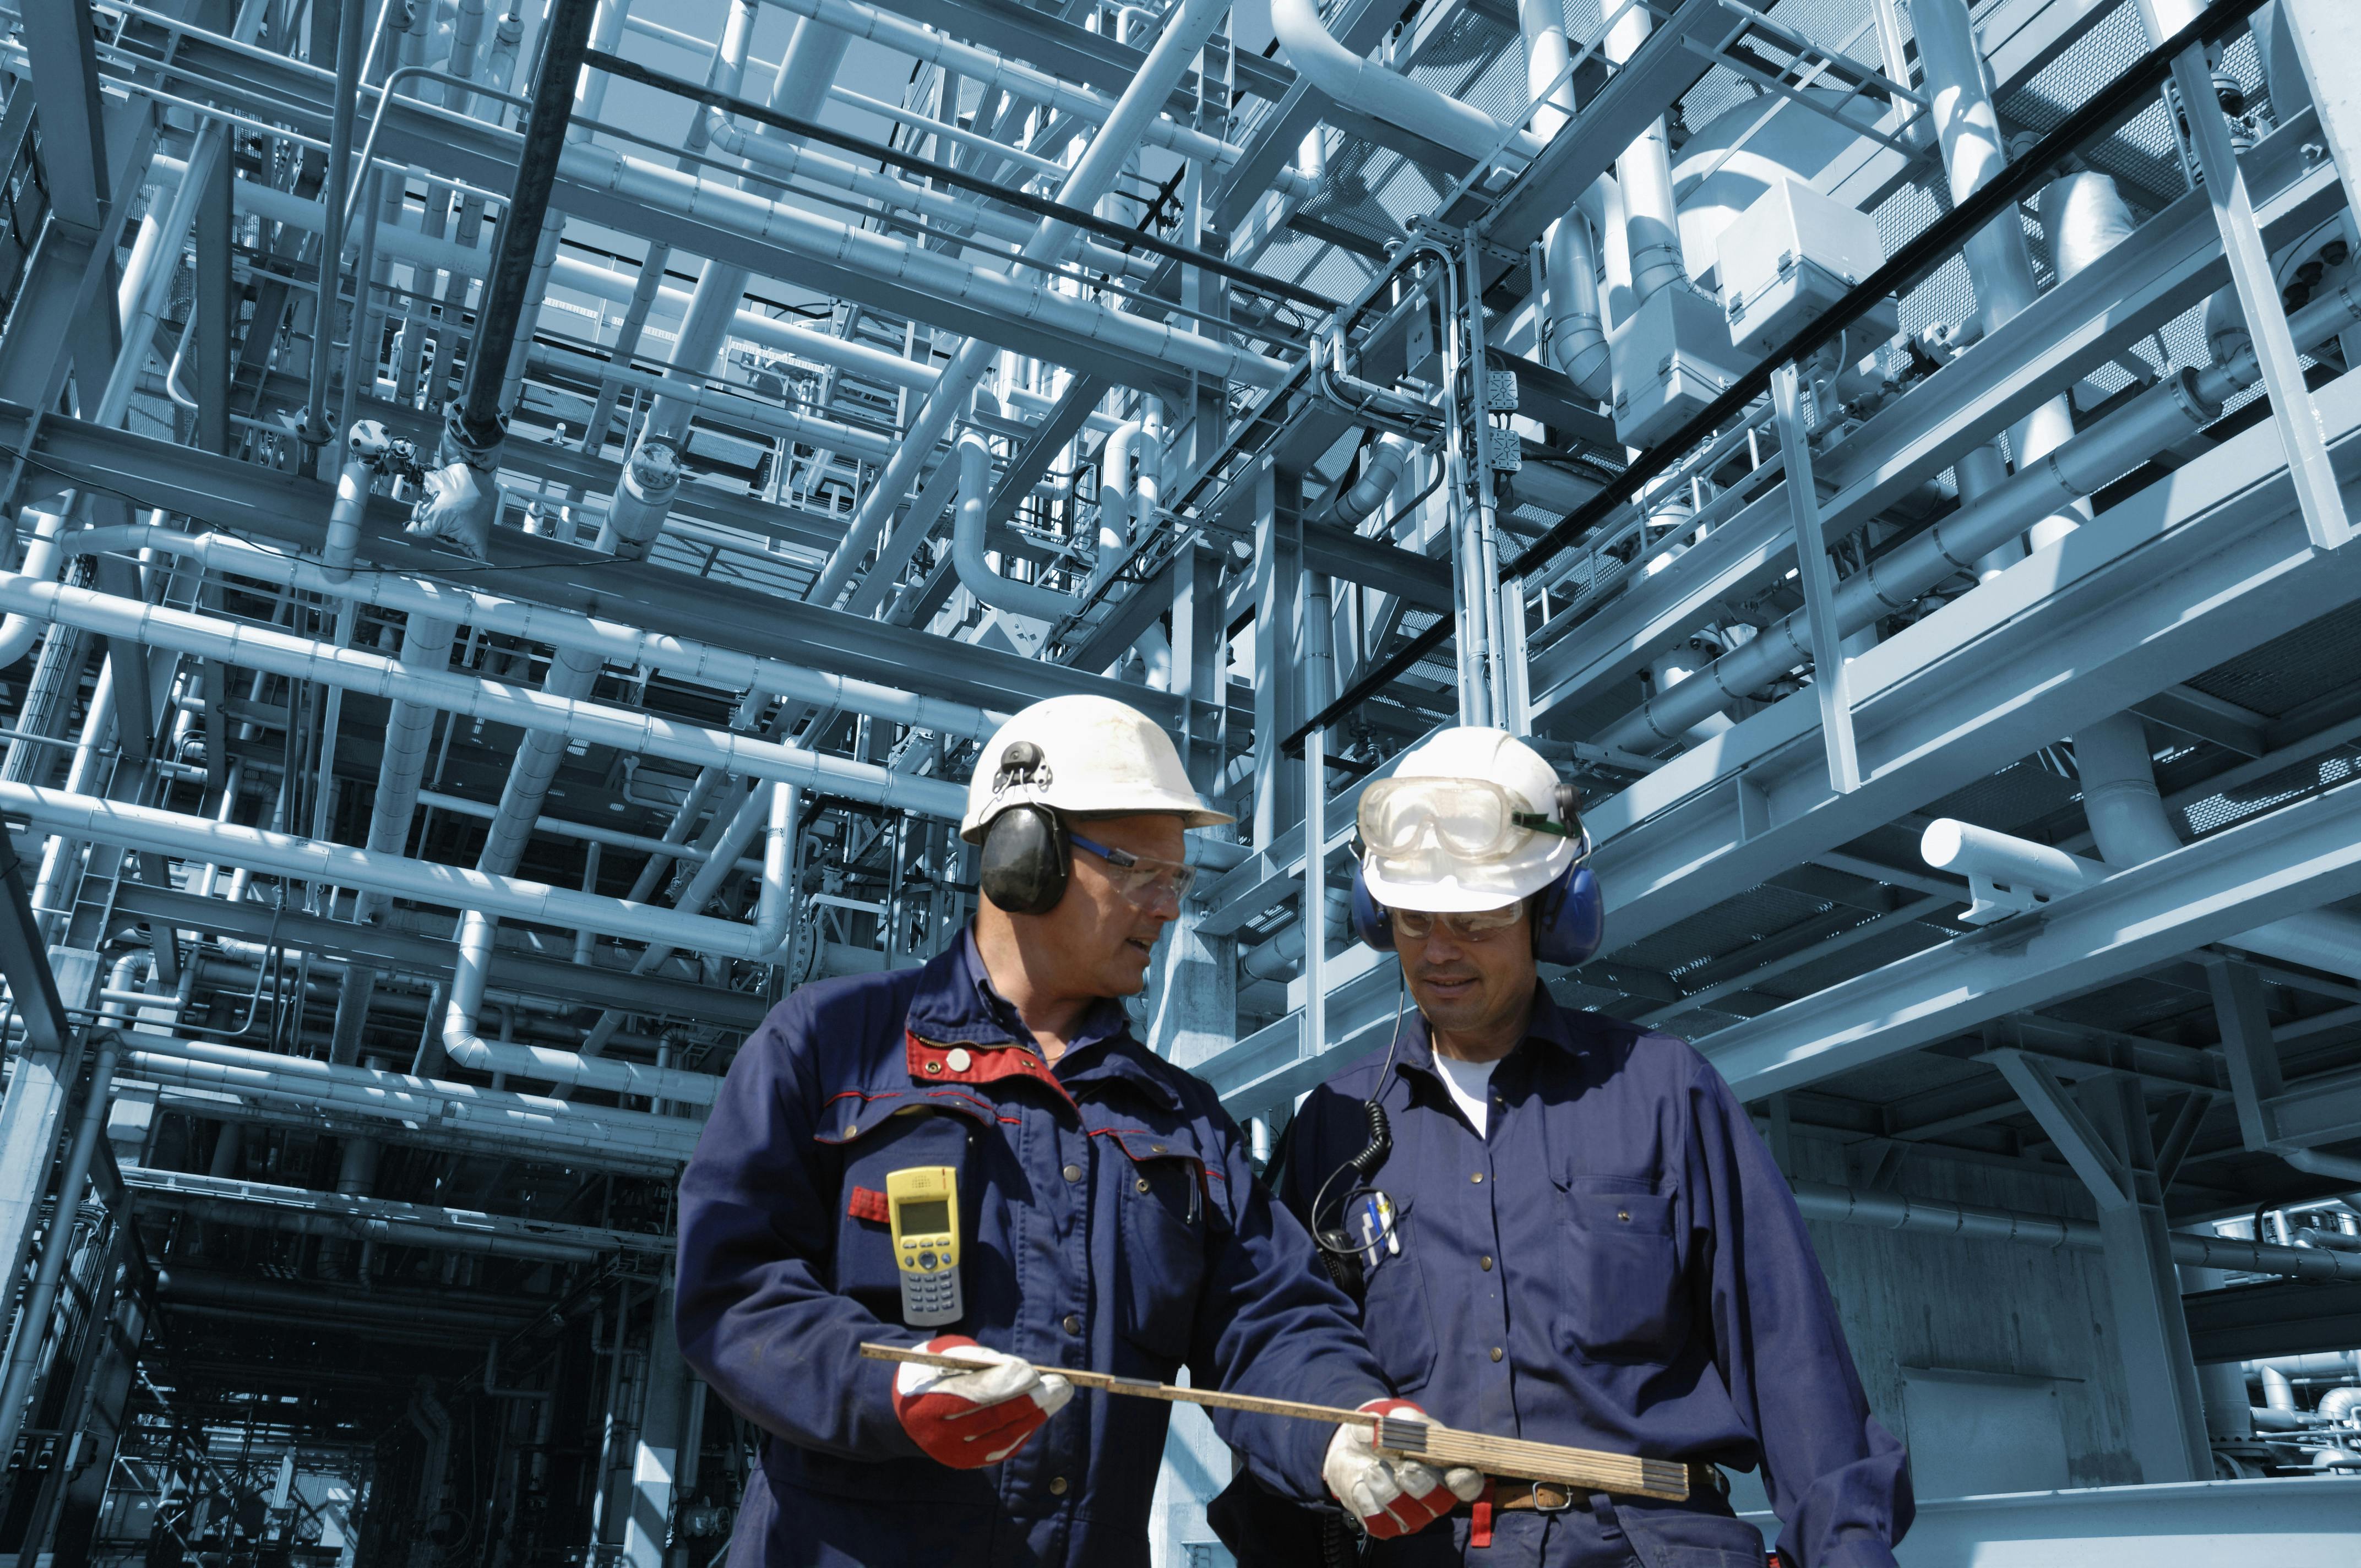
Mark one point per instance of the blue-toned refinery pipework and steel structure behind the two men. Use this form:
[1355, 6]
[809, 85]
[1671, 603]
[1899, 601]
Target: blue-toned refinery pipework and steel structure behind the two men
[523, 514]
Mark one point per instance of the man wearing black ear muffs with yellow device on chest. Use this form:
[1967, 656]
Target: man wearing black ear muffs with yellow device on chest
[1104, 1217]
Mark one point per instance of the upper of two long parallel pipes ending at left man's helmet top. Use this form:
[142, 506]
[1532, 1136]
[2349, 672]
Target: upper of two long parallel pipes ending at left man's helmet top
[615, 641]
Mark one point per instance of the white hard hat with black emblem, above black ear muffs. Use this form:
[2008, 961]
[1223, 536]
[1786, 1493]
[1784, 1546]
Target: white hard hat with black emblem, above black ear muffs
[1099, 757]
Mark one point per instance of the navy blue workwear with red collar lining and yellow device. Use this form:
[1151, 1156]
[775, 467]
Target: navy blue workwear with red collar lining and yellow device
[1108, 1220]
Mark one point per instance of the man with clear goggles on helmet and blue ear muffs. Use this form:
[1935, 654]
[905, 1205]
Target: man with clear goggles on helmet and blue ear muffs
[1576, 1236]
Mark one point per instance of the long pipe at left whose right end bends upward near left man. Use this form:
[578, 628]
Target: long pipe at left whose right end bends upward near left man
[159, 832]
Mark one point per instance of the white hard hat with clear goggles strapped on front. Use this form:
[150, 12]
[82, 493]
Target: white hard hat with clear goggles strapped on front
[1496, 776]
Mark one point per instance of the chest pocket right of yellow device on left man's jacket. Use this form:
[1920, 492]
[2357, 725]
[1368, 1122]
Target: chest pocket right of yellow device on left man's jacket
[1165, 1227]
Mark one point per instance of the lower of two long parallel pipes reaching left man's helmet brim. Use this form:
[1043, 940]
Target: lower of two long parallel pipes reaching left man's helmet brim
[478, 698]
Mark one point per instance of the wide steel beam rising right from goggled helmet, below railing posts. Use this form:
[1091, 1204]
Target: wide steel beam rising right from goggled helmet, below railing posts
[2169, 584]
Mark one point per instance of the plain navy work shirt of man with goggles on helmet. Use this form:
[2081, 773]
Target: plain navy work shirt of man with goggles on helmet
[1614, 1265]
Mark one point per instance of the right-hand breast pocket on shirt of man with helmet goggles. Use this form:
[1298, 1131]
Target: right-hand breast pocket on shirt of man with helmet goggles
[1623, 1272]
